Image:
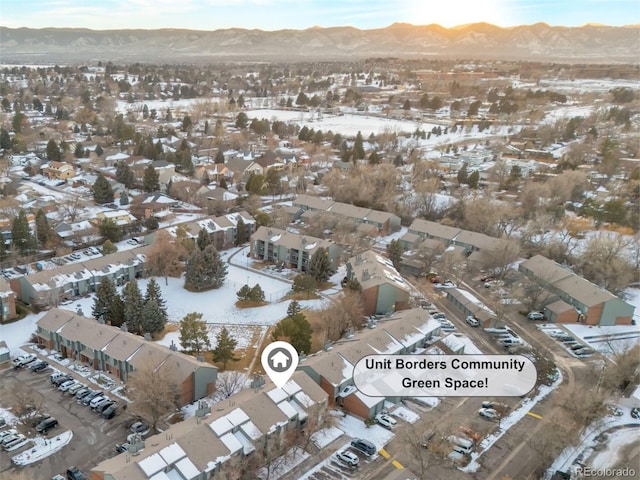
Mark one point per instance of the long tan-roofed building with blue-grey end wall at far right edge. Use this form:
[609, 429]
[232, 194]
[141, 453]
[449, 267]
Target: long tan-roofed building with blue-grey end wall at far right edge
[592, 305]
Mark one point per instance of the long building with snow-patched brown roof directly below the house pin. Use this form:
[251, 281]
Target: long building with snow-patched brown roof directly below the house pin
[211, 444]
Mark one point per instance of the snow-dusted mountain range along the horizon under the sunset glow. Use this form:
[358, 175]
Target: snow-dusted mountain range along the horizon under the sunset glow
[538, 42]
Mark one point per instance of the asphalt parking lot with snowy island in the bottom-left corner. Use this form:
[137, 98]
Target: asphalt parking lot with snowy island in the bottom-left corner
[94, 437]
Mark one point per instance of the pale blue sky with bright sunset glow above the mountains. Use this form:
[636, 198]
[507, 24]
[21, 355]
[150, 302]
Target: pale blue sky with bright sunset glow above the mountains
[301, 14]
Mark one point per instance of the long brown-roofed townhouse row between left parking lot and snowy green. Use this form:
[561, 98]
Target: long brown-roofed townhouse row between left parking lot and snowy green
[123, 354]
